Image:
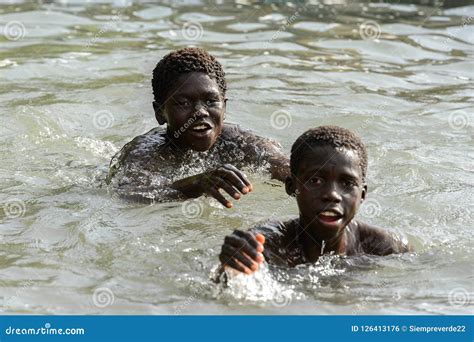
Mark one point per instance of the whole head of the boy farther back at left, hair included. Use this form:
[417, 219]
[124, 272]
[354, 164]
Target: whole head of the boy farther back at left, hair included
[189, 96]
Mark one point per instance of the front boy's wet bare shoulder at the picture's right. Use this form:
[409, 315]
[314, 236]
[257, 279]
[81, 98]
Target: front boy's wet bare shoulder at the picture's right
[378, 241]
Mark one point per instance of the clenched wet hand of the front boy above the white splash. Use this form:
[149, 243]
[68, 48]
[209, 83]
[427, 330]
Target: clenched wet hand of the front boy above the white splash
[242, 251]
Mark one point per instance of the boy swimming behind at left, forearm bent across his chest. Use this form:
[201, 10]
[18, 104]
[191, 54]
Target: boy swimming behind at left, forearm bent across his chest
[197, 153]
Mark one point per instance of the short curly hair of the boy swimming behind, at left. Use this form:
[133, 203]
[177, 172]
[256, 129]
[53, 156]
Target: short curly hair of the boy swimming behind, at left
[182, 61]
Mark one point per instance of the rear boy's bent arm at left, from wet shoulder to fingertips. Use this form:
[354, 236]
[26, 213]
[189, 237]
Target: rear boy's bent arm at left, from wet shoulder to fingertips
[136, 175]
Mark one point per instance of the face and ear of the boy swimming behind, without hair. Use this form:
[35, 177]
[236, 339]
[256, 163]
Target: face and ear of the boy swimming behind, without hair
[194, 111]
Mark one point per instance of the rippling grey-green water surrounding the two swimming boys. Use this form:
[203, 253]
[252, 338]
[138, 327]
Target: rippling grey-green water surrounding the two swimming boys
[76, 87]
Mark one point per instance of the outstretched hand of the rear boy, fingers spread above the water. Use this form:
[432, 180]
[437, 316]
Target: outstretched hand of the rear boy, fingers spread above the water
[226, 177]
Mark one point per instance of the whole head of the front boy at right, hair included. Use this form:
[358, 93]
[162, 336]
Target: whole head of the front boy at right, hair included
[328, 169]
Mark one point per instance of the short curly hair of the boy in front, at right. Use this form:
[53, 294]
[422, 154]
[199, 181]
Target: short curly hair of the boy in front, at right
[328, 135]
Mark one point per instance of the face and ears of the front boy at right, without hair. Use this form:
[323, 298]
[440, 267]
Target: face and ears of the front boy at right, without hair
[329, 189]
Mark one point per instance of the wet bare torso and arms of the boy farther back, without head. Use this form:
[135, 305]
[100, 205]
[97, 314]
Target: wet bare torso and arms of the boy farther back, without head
[151, 168]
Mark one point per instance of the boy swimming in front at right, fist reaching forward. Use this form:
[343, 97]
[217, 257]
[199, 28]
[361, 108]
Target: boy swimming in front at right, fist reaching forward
[328, 168]
